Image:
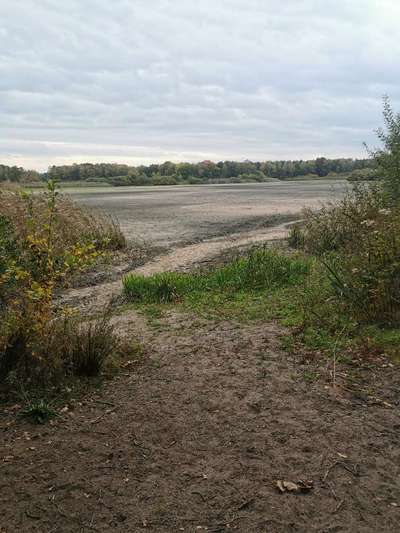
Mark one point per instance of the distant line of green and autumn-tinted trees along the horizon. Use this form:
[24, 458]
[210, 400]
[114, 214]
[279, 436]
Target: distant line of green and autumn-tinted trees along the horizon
[169, 173]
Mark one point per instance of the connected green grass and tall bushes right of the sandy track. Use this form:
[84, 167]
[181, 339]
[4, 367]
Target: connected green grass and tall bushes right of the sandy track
[340, 293]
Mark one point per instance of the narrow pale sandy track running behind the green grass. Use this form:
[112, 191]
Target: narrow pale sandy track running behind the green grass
[94, 298]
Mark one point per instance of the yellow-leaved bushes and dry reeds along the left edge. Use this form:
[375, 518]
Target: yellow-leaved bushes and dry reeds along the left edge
[37, 253]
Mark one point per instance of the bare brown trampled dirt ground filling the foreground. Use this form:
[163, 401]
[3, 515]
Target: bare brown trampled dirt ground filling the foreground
[194, 440]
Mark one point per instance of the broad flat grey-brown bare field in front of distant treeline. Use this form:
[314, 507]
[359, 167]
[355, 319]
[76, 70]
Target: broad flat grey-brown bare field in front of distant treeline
[170, 216]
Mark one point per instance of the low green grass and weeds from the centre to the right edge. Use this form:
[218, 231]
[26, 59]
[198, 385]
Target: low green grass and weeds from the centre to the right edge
[265, 285]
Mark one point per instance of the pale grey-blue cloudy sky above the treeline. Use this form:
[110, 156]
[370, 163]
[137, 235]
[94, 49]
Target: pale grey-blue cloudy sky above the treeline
[138, 81]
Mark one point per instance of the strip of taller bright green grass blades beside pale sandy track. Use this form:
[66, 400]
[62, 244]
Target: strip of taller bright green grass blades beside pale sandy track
[261, 269]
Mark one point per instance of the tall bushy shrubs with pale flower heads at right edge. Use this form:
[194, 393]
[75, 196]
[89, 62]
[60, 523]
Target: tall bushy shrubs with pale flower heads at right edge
[358, 238]
